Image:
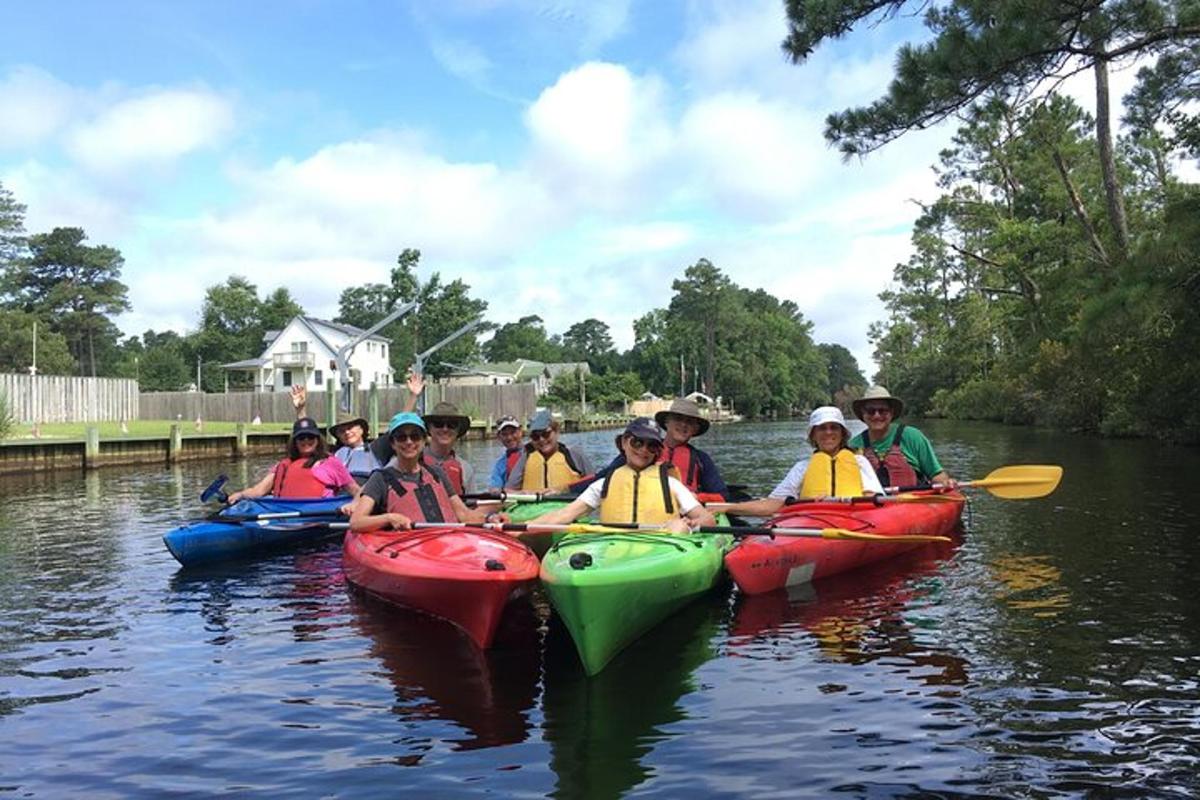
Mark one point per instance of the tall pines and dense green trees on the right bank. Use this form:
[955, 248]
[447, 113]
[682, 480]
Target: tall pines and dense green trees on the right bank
[1057, 279]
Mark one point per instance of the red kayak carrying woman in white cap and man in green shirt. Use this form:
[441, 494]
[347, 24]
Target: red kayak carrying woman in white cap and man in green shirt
[761, 564]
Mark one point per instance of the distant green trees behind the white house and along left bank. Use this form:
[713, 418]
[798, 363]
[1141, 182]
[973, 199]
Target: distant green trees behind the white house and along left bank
[713, 336]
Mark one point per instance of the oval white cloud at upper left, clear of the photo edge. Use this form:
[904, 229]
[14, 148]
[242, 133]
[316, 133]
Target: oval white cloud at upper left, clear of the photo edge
[152, 130]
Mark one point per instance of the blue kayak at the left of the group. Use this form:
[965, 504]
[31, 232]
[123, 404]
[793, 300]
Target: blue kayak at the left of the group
[255, 525]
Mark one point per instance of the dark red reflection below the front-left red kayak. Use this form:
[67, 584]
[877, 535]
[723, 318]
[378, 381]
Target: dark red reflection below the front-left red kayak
[440, 675]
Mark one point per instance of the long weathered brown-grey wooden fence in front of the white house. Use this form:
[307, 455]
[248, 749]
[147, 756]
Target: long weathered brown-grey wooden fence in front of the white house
[479, 402]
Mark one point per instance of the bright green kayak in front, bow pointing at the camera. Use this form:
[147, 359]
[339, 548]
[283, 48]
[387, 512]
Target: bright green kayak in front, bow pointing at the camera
[613, 588]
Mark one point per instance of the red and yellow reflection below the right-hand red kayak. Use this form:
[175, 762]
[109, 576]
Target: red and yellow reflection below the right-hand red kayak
[868, 616]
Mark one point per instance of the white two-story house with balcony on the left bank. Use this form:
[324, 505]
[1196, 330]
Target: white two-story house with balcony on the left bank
[304, 353]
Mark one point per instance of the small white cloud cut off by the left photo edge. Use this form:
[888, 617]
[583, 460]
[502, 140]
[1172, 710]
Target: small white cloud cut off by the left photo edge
[37, 106]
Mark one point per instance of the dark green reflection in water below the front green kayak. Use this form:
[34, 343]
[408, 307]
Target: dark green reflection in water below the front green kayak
[602, 729]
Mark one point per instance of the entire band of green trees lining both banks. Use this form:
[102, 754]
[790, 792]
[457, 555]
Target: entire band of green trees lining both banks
[1055, 281]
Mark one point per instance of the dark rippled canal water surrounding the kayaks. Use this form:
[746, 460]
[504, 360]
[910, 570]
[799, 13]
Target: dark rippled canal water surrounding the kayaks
[1054, 652]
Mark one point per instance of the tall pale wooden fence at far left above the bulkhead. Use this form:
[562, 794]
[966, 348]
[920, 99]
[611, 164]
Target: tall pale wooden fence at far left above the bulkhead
[67, 399]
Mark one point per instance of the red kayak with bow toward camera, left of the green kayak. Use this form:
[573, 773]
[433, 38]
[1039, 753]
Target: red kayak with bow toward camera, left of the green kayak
[466, 578]
